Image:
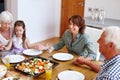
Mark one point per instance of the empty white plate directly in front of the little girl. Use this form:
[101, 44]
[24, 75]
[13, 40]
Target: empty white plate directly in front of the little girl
[32, 52]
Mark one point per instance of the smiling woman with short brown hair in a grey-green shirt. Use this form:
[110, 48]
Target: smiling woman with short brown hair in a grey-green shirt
[76, 40]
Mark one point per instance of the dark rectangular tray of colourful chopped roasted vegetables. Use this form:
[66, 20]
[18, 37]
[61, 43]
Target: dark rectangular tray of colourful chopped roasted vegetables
[34, 66]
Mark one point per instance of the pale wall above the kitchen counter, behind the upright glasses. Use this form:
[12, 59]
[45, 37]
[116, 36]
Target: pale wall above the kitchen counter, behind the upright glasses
[111, 7]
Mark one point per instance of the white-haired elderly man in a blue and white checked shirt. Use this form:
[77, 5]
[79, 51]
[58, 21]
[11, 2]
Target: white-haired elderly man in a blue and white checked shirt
[109, 46]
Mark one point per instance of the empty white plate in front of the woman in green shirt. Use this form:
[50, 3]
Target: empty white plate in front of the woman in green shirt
[63, 56]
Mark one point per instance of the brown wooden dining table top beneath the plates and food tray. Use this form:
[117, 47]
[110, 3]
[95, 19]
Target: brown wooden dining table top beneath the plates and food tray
[62, 66]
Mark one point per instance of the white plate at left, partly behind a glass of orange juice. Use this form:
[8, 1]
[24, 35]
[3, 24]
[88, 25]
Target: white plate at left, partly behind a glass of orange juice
[15, 58]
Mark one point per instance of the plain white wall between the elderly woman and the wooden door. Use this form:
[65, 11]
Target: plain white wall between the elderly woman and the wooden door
[42, 17]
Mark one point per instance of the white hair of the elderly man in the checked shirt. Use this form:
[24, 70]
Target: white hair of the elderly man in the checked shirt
[112, 34]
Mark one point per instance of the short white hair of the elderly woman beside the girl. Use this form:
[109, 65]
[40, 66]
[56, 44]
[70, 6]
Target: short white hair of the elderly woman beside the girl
[6, 16]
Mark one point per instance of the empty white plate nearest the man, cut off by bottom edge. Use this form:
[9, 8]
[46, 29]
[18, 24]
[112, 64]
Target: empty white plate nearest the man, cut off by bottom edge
[70, 75]
